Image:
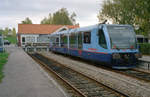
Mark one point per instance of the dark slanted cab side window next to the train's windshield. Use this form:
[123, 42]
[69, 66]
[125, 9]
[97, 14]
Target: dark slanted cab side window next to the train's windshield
[102, 39]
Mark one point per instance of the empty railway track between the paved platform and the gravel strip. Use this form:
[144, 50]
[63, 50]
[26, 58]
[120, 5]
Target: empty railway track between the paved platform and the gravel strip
[81, 84]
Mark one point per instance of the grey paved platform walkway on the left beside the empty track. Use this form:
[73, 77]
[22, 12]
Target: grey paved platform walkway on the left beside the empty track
[25, 78]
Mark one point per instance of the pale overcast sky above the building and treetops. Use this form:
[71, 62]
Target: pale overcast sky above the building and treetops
[13, 12]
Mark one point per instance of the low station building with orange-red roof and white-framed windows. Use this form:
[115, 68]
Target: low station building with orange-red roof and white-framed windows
[38, 33]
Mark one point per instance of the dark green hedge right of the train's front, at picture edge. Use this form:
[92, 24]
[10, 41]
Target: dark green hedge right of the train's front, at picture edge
[144, 48]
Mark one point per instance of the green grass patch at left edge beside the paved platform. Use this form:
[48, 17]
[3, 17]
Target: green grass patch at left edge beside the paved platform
[3, 60]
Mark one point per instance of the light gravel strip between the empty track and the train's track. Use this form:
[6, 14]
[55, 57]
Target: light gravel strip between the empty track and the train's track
[127, 85]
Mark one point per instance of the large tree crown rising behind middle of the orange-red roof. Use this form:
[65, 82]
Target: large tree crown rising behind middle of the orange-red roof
[60, 17]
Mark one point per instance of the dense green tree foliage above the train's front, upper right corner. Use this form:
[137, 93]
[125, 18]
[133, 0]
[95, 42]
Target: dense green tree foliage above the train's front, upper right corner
[135, 12]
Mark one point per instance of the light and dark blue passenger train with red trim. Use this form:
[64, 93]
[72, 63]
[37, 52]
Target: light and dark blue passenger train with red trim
[112, 45]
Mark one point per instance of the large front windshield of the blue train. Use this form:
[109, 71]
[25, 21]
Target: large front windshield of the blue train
[122, 37]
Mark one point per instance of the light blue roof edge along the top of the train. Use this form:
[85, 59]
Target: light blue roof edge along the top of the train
[87, 28]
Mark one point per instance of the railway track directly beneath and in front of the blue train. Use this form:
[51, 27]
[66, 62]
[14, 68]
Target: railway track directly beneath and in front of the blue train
[133, 73]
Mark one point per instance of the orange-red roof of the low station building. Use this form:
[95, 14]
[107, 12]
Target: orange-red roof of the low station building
[41, 28]
